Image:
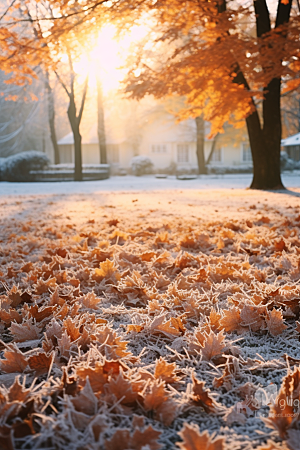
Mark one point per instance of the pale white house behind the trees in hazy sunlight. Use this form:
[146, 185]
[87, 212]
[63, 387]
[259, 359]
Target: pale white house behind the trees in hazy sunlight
[164, 141]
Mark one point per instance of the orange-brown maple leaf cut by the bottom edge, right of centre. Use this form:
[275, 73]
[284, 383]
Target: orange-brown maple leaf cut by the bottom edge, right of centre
[194, 440]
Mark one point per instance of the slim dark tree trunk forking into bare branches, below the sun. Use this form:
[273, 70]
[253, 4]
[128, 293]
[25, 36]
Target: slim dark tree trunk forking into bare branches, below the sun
[75, 119]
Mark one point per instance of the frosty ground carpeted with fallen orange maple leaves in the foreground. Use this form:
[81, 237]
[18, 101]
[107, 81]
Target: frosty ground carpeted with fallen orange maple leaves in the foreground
[117, 336]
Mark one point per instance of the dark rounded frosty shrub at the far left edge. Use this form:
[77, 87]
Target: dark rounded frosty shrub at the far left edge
[18, 167]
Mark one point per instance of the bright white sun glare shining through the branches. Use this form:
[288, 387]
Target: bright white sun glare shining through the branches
[108, 57]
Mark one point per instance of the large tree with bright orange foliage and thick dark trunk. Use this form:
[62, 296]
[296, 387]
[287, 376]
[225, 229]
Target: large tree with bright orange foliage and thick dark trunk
[229, 59]
